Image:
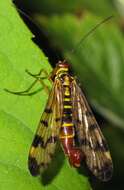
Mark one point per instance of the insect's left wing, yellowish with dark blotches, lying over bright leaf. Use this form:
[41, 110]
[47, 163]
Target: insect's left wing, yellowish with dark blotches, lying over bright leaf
[47, 134]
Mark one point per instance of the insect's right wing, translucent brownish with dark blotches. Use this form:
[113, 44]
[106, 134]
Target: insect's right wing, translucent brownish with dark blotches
[91, 140]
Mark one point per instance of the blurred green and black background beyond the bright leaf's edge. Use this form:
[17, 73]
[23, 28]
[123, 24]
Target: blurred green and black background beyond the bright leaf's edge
[98, 62]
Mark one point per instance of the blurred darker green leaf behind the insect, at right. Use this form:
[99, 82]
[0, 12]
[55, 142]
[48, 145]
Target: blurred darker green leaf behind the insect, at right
[98, 62]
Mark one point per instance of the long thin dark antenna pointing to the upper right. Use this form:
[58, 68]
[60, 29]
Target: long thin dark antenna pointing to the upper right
[89, 33]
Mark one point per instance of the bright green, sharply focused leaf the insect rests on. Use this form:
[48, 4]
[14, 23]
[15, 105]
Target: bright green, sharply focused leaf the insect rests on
[19, 115]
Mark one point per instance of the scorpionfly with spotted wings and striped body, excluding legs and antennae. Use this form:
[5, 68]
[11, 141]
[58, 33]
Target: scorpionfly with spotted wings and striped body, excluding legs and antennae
[67, 115]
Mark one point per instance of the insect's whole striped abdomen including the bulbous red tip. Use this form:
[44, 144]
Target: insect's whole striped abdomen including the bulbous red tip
[67, 131]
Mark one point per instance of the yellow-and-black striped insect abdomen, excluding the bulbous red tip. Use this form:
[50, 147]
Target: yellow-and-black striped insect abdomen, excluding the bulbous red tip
[67, 128]
